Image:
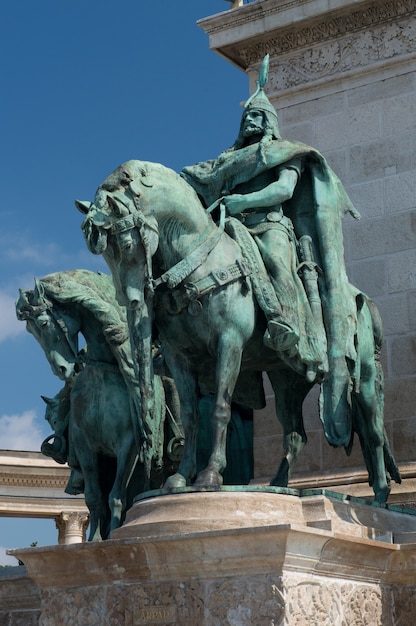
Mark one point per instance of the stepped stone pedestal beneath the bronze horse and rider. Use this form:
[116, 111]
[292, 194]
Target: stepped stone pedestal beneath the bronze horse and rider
[239, 556]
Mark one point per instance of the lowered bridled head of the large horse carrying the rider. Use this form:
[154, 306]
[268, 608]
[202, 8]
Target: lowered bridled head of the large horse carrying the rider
[117, 227]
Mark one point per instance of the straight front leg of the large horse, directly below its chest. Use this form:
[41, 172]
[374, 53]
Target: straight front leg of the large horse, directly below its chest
[228, 368]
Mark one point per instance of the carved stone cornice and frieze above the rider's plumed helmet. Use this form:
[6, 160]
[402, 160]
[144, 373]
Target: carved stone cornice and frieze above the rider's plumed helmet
[311, 43]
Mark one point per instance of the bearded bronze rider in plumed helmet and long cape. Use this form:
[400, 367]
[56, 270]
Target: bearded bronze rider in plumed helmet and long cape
[292, 204]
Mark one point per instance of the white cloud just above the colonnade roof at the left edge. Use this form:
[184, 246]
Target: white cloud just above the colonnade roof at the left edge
[20, 432]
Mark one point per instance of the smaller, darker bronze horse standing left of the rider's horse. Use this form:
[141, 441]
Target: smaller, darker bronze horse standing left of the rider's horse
[94, 416]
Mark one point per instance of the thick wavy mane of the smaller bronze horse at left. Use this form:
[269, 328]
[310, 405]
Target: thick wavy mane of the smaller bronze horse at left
[92, 291]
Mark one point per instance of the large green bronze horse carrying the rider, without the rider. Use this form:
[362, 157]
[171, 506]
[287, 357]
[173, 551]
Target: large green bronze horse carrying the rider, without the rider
[176, 270]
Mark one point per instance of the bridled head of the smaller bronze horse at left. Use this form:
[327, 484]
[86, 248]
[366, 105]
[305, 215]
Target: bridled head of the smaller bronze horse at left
[56, 333]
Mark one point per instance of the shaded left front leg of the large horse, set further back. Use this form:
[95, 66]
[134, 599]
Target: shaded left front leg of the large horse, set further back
[186, 384]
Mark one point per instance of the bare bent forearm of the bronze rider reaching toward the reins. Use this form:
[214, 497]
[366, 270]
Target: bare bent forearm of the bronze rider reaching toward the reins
[272, 195]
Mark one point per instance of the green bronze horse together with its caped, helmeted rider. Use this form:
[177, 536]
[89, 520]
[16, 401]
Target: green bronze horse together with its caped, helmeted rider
[262, 287]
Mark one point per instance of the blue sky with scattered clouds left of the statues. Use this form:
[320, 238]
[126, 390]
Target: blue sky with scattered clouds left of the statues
[87, 85]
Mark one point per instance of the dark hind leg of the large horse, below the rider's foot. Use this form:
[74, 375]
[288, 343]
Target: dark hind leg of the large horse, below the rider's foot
[290, 390]
